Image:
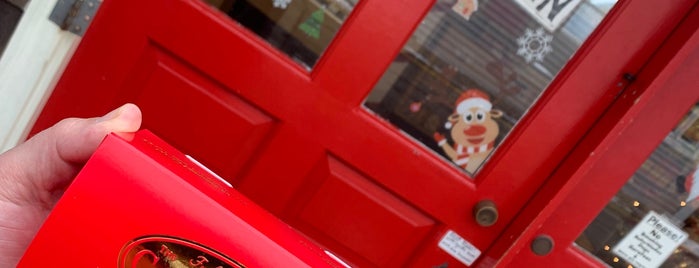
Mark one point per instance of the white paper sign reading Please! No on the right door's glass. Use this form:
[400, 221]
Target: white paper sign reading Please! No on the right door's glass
[651, 242]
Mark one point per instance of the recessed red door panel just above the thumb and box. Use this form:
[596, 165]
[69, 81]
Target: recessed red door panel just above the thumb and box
[202, 117]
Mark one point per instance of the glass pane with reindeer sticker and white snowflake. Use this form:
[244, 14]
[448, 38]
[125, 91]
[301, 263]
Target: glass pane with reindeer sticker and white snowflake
[473, 68]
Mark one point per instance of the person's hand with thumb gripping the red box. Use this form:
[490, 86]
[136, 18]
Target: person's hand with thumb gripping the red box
[48, 161]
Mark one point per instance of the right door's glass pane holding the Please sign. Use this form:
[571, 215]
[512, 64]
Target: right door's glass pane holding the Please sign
[648, 220]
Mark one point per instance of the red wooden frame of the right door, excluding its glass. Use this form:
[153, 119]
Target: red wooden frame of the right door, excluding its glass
[608, 155]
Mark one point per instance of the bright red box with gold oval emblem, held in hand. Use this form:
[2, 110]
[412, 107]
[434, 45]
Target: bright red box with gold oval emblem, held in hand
[138, 202]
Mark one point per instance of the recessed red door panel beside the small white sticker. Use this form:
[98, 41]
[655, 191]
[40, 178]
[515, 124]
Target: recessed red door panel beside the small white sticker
[349, 210]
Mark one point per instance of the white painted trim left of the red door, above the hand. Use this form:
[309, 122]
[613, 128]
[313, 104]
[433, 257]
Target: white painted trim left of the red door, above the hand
[29, 67]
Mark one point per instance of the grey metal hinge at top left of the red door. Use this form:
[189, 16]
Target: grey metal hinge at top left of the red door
[74, 15]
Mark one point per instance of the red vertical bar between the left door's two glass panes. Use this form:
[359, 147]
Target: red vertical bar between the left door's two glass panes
[356, 61]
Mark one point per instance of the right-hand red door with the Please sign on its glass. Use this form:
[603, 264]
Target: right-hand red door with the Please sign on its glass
[645, 151]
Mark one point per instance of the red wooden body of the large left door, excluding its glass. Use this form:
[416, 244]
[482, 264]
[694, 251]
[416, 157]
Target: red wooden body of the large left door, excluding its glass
[301, 143]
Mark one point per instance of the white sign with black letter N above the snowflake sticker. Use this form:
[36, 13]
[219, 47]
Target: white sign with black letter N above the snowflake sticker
[550, 13]
